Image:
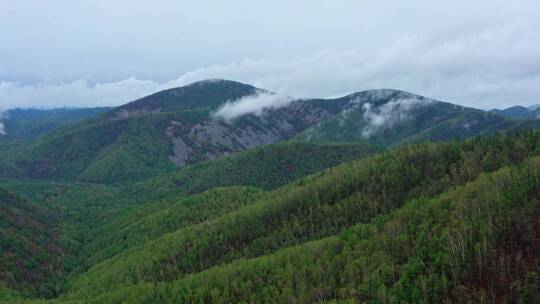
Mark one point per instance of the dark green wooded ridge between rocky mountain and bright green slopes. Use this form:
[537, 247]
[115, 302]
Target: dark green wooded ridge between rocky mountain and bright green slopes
[267, 167]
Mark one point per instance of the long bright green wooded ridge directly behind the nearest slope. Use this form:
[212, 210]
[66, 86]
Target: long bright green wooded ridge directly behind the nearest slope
[313, 208]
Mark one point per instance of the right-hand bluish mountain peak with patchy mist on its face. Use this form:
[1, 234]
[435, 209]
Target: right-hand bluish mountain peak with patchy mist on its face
[389, 117]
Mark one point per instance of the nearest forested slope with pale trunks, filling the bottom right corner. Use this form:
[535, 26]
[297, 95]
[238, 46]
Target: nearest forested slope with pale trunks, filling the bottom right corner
[472, 244]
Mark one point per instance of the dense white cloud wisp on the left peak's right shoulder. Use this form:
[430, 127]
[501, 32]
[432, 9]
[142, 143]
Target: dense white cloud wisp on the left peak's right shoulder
[253, 104]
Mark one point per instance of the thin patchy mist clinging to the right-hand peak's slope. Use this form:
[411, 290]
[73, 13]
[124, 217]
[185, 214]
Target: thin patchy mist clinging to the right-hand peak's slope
[389, 114]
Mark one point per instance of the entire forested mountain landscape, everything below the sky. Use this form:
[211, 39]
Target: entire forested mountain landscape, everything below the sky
[221, 192]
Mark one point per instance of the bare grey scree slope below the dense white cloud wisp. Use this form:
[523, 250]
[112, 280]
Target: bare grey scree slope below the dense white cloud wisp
[214, 138]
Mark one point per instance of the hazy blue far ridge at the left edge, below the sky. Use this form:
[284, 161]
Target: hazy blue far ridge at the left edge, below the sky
[23, 124]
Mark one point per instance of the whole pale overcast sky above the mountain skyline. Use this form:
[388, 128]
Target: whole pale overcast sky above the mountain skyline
[481, 53]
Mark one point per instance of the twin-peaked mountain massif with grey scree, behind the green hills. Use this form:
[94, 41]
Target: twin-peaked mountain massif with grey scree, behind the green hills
[177, 127]
